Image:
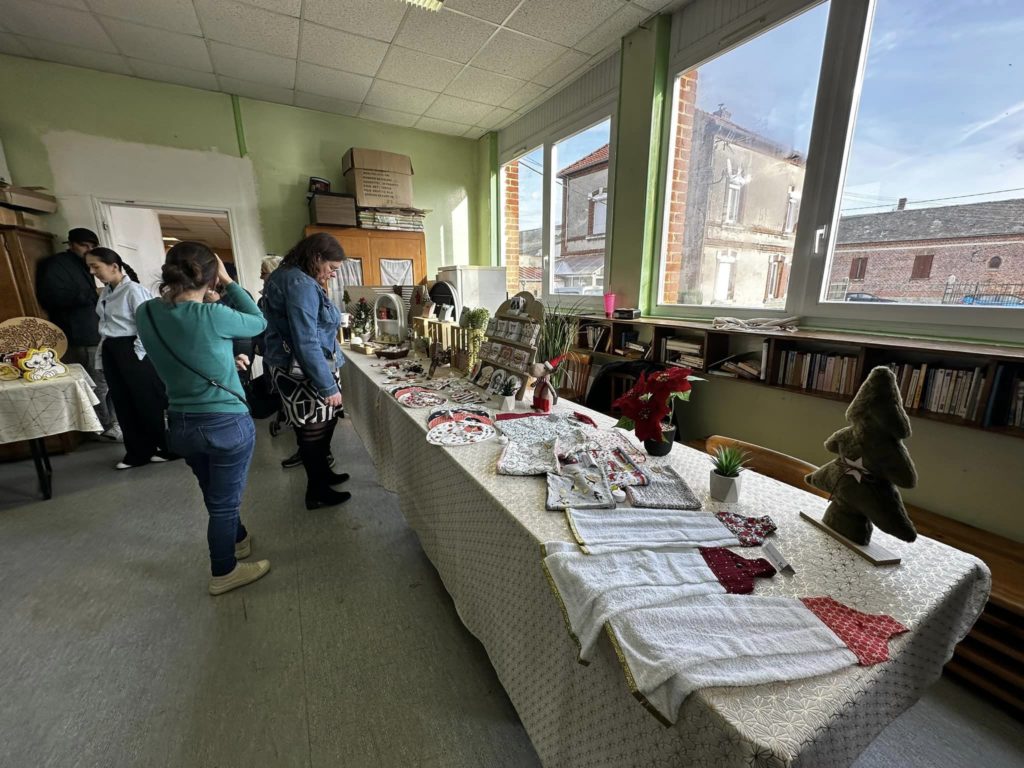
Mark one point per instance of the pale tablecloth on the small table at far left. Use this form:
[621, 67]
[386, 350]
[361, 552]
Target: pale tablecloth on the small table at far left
[30, 410]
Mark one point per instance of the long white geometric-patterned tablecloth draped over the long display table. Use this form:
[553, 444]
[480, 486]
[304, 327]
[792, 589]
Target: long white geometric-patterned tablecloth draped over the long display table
[483, 532]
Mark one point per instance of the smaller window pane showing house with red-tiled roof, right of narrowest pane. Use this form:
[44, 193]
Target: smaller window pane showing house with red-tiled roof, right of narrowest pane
[580, 211]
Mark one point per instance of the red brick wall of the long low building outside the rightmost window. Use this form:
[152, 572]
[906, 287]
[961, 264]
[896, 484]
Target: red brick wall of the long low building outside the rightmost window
[890, 266]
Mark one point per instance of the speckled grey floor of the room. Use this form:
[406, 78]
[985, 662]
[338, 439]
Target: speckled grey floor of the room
[349, 654]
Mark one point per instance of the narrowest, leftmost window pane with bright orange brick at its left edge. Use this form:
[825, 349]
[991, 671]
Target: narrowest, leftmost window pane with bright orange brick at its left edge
[523, 214]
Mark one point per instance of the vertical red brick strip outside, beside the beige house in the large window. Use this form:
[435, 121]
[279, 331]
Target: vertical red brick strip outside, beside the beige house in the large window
[676, 188]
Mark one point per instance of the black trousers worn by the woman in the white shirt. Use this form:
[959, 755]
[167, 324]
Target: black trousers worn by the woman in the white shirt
[140, 399]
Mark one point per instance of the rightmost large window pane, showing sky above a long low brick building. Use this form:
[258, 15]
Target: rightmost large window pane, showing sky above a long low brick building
[934, 188]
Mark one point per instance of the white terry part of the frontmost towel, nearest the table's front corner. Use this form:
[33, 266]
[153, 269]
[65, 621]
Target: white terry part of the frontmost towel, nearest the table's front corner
[675, 649]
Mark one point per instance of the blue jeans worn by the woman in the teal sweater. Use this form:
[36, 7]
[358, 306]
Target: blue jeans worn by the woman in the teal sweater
[219, 449]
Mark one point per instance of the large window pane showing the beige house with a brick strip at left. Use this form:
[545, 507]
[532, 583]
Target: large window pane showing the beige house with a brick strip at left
[742, 129]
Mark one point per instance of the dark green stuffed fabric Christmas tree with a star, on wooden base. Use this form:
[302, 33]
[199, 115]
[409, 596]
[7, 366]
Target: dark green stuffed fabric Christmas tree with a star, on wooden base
[873, 461]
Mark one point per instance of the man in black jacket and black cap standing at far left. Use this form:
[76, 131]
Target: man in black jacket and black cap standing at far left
[68, 292]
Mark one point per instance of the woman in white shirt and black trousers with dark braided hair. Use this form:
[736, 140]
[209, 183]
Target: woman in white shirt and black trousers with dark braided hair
[139, 395]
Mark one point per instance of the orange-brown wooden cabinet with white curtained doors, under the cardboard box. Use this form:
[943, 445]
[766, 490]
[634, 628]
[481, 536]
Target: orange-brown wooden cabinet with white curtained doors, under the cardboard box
[386, 259]
